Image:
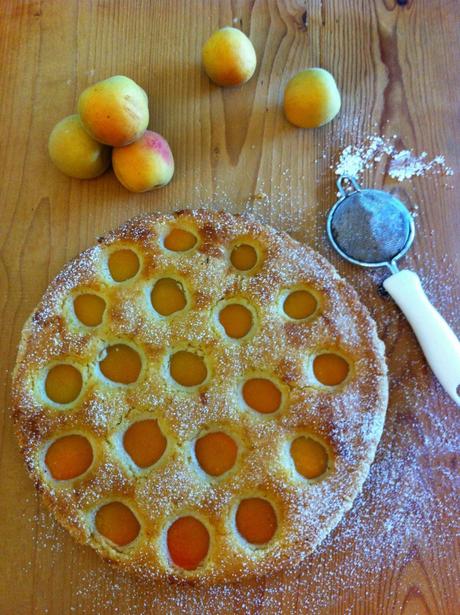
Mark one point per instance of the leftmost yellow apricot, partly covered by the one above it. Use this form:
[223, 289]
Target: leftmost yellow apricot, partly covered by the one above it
[74, 152]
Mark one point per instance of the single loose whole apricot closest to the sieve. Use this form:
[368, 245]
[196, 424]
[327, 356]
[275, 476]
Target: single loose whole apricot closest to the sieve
[311, 98]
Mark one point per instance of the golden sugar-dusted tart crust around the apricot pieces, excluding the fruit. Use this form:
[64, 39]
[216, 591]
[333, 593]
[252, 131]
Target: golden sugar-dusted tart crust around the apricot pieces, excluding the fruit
[348, 418]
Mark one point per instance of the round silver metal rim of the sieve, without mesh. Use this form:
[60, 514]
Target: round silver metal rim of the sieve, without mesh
[391, 264]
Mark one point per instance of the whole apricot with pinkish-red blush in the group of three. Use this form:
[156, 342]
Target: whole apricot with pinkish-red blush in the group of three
[144, 165]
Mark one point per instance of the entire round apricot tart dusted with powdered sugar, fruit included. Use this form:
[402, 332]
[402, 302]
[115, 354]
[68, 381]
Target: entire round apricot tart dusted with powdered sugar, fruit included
[199, 397]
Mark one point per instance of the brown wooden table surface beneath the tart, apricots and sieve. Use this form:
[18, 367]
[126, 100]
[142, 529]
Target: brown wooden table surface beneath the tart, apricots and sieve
[396, 64]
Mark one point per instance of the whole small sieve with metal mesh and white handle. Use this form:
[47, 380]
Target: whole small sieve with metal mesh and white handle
[372, 228]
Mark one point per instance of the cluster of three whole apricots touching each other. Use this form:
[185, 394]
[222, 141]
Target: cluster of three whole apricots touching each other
[114, 114]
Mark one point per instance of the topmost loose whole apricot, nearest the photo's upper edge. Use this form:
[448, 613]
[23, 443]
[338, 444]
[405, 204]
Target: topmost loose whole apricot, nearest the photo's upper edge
[229, 57]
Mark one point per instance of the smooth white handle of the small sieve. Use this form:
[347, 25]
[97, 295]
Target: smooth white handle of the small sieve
[438, 341]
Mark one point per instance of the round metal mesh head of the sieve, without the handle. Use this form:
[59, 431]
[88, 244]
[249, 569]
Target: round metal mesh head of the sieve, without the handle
[369, 227]
